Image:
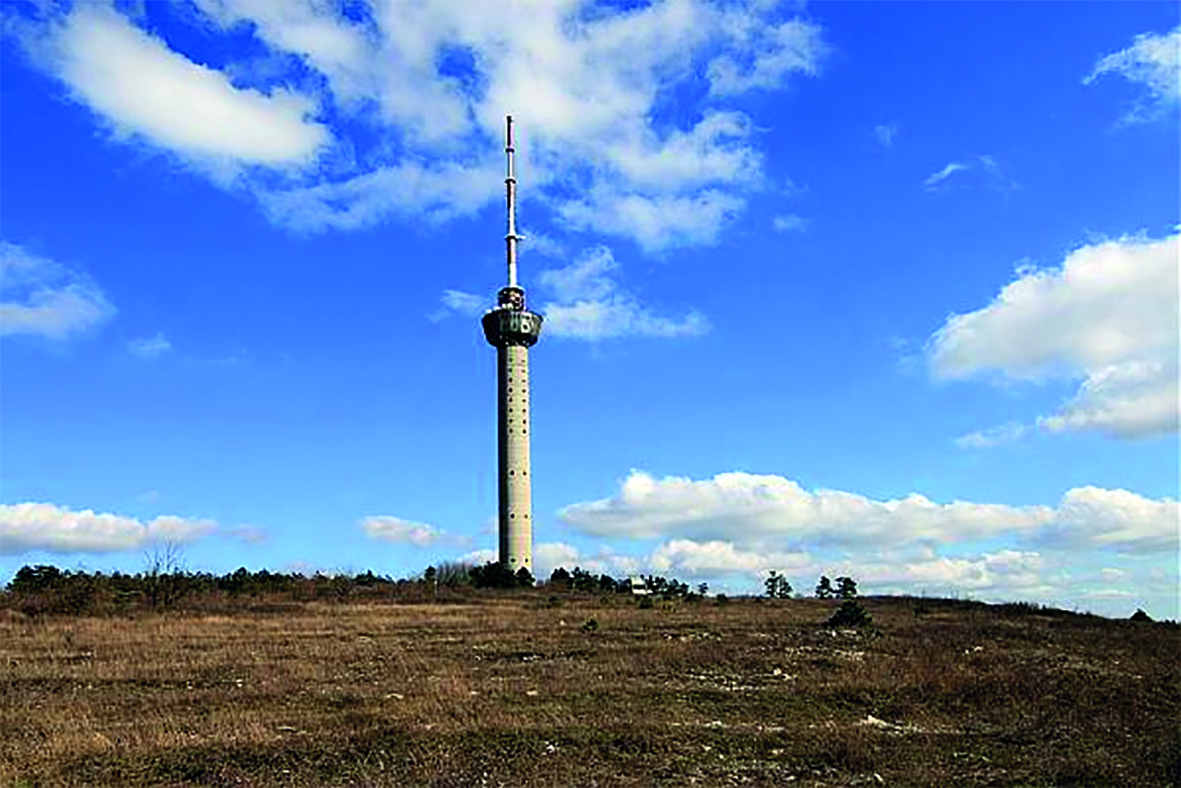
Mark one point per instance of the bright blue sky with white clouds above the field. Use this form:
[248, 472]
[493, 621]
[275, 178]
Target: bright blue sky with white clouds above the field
[884, 290]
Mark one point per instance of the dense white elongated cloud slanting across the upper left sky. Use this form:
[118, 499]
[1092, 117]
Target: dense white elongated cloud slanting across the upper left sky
[145, 89]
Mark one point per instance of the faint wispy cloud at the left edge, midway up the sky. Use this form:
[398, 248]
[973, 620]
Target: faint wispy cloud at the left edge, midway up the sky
[45, 299]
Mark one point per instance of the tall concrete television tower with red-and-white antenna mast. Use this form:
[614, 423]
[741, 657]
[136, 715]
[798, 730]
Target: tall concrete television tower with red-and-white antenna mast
[513, 330]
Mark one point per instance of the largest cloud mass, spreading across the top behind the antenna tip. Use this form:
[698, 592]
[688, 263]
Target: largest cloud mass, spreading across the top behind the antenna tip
[371, 112]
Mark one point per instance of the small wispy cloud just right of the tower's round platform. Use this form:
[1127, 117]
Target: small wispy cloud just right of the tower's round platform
[590, 305]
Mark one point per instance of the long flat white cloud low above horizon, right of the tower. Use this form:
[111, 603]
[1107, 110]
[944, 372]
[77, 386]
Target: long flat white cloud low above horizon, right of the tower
[765, 512]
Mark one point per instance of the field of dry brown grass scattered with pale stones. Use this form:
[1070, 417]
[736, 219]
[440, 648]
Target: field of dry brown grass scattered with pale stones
[524, 691]
